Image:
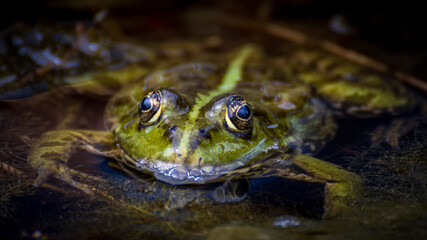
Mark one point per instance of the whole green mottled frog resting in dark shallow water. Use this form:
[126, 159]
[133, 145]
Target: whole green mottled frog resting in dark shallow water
[239, 114]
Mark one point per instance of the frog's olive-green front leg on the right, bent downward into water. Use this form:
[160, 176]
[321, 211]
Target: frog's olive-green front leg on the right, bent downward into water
[341, 187]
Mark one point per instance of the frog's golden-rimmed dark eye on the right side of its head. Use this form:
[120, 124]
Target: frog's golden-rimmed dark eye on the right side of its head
[239, 116]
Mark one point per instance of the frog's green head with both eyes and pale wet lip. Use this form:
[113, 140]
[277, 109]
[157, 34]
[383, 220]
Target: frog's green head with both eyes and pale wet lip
[182, 141]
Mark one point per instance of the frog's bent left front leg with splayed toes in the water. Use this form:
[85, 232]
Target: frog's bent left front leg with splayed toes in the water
[49, 155]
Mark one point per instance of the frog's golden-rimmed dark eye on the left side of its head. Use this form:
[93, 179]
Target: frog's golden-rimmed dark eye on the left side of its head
[150, 108]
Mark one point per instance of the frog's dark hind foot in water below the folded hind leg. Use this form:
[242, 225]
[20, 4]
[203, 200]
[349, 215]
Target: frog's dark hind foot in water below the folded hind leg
[392, 132]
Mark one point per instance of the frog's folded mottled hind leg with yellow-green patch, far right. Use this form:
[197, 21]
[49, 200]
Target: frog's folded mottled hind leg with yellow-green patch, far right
[351, 88]
